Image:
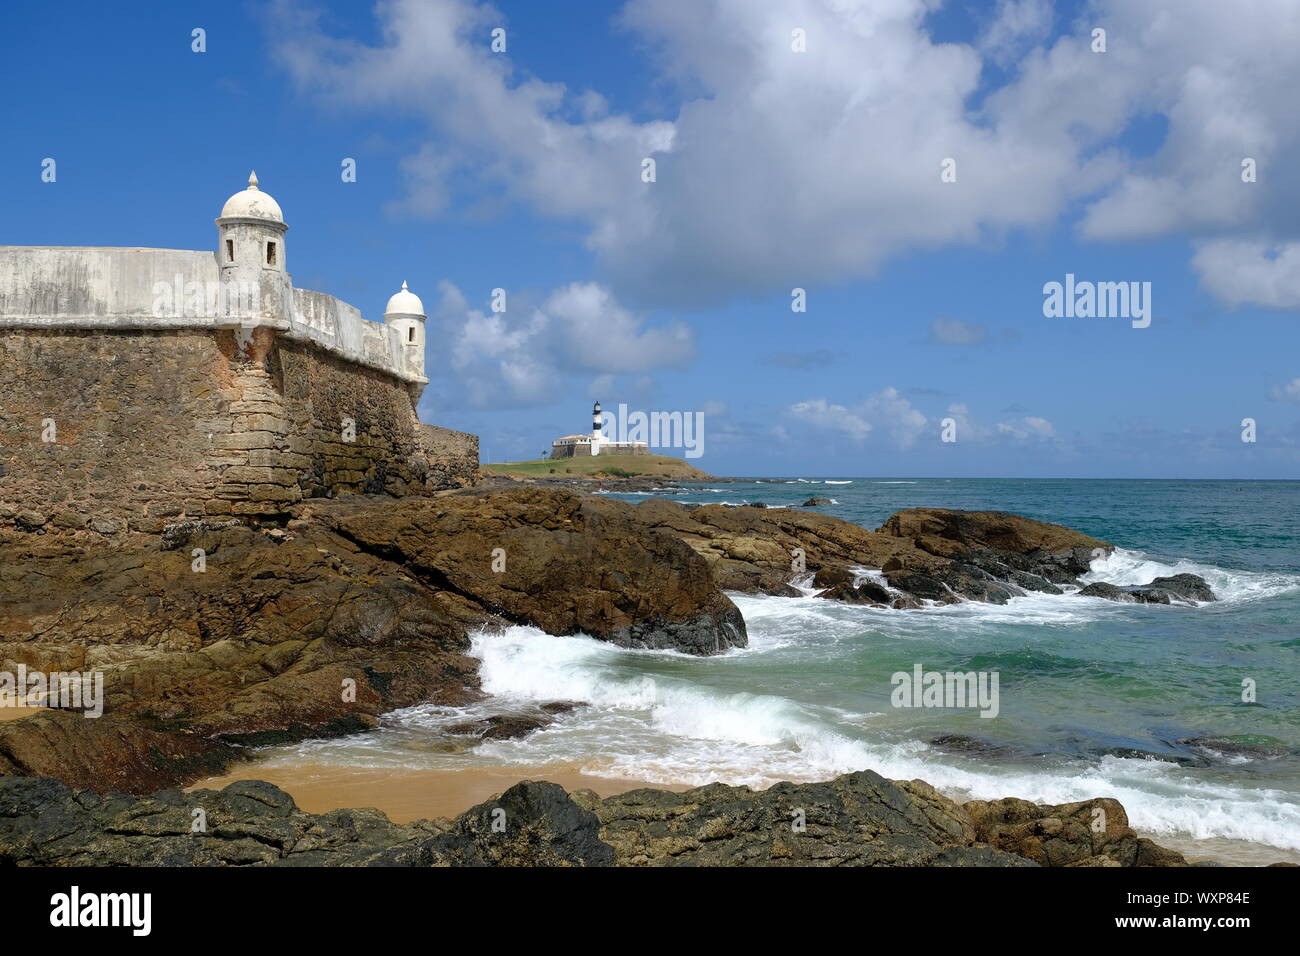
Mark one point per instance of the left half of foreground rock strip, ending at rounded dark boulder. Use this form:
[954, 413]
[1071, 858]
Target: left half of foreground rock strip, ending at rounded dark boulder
[255, 824]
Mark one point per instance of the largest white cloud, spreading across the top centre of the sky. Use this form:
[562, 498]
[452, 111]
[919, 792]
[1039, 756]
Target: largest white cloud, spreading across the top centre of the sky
[773, 168]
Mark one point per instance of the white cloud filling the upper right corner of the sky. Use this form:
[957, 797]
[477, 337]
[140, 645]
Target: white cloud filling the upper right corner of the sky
[1221, 80]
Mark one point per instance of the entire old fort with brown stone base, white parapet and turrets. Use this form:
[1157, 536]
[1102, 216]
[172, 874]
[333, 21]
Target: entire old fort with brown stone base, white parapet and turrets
[115, 417]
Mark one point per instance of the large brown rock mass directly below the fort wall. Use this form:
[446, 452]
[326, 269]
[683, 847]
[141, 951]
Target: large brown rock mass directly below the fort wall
[363, 609]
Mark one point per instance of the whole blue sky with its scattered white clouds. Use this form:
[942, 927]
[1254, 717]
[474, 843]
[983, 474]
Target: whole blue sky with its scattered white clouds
[818, 170]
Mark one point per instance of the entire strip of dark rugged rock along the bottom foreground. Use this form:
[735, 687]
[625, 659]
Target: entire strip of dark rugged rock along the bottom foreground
[857, 820]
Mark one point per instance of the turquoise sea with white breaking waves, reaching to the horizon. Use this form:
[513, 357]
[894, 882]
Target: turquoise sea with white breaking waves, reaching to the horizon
[1097, 699]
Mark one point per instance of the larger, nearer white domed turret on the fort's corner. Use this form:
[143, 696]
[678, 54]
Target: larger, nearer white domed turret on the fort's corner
[252, 257]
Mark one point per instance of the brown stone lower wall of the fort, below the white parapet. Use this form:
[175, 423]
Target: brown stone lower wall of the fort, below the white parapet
[116, 429]
